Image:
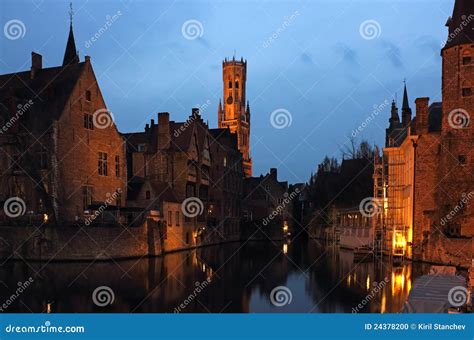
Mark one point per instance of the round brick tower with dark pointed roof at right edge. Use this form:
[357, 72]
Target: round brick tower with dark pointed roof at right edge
[456, 177]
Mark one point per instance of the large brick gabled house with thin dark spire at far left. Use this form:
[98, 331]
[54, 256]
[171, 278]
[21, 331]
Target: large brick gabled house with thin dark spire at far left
[60, 151]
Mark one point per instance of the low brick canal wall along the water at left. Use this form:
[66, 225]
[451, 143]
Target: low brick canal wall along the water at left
[92, 243]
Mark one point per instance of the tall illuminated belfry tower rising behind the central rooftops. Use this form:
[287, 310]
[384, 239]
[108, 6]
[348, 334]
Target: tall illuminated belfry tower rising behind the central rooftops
[235, 114]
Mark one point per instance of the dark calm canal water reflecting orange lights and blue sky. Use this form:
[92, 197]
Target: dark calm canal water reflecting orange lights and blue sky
[251, 277]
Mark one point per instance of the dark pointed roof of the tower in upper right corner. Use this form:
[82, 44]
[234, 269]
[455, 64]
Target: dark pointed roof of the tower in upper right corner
[461, 24]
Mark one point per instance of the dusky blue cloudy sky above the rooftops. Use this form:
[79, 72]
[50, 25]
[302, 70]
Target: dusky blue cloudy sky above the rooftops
[310, 58]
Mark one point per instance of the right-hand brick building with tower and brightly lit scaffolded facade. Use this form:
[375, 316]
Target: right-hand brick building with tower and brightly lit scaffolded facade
[429, 160]
